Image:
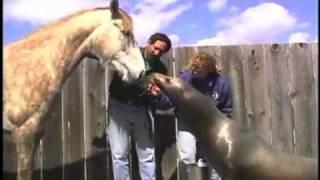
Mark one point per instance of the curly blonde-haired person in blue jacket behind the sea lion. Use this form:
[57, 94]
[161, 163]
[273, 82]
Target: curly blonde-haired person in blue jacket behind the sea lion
[201, 73]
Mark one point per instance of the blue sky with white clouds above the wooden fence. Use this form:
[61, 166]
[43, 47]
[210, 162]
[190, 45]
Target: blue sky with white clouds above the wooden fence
[186, 22]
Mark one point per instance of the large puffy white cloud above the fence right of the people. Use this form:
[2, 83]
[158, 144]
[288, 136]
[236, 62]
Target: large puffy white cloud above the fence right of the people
[259, 24]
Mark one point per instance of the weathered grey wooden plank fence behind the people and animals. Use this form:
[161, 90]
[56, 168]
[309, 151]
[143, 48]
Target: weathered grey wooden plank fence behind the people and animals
[275, 92]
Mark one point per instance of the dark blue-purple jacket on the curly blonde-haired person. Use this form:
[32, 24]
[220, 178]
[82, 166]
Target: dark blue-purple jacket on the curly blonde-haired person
[215, 86]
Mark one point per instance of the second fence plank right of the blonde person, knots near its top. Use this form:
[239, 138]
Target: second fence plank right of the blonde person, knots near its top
[255, 91]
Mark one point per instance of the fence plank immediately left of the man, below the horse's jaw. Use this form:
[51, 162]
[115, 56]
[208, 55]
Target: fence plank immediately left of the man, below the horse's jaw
[94, 118]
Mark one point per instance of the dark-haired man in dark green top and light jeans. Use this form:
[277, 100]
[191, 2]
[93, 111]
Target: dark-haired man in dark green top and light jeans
[128, 114]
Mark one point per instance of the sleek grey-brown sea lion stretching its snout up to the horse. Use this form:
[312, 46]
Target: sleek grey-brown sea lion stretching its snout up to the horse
[233, 150]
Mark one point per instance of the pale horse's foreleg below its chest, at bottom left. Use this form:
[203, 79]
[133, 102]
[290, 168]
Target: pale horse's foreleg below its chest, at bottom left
[27, 139]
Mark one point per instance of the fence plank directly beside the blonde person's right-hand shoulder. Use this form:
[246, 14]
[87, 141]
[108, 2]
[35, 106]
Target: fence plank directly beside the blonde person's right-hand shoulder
[231, 59]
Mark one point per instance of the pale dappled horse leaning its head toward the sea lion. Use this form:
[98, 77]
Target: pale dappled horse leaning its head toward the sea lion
[36, 67]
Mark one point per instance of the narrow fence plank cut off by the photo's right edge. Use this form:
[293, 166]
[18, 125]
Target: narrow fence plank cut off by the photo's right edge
[315, 121]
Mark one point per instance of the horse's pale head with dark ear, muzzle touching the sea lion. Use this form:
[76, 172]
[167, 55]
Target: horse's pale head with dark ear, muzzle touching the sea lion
[126, 57]
